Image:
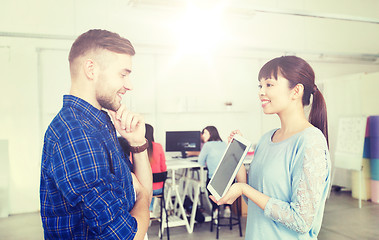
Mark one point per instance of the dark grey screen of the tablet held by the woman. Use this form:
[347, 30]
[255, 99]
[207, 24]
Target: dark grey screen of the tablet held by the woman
[227, 166]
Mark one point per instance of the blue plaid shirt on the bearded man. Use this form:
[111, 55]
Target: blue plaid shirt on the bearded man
[86, 187]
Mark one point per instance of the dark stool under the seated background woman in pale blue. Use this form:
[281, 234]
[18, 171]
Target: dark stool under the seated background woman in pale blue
[222, 221]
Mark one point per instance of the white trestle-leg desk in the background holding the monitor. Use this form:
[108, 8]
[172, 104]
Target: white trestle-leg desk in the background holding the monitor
[180, 218]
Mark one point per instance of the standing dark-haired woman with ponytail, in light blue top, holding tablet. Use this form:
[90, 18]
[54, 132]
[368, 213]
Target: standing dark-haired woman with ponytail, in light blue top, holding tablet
[289, 176]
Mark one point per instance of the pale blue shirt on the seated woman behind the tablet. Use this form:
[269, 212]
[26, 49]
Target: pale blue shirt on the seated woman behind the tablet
[211, 154]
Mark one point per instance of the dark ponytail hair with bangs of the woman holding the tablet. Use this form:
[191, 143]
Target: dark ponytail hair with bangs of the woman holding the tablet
[298, 71]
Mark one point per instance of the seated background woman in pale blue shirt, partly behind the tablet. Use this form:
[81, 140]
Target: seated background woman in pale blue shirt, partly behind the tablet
[210, 155]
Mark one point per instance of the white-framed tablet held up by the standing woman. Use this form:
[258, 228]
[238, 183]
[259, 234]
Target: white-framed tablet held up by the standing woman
[228, 167]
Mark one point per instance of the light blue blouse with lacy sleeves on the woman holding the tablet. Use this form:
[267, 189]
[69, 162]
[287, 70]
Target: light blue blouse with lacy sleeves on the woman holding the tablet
[295, 173]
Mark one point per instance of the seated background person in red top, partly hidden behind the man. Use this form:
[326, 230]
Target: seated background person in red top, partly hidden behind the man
[157, 160]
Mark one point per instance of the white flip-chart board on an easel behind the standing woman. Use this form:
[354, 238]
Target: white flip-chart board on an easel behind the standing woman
[350, 143]
